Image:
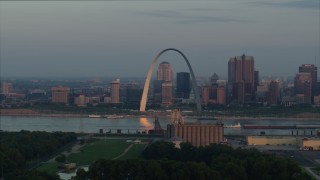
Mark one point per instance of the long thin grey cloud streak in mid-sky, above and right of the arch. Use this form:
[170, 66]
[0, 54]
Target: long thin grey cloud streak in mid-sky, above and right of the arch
[184, 18]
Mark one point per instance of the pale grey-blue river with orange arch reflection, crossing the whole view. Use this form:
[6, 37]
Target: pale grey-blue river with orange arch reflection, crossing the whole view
[141, 124]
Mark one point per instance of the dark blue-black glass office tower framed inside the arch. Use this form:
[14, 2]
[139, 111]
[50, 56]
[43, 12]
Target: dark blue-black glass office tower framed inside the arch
[183, 85]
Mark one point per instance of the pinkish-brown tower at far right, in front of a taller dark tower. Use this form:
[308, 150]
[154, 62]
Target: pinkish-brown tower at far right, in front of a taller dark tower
[302, 87]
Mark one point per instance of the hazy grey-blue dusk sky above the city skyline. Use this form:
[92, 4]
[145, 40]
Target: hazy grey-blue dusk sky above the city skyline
[121, 38]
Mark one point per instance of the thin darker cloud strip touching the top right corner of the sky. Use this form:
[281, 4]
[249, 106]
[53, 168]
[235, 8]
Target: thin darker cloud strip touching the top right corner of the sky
[311, 4]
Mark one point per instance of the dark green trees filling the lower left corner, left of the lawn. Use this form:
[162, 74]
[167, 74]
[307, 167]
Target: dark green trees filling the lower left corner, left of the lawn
[21, 150]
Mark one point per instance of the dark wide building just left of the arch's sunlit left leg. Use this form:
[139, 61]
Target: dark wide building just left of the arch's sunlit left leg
[133, 95]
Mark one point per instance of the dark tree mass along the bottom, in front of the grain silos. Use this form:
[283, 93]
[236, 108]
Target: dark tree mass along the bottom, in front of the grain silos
[163, 161]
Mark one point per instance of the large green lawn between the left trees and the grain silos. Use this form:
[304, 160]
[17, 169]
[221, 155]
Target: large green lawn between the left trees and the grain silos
[106, 149]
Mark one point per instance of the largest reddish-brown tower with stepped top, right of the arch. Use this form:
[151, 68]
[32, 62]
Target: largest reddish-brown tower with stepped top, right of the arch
[241, 78]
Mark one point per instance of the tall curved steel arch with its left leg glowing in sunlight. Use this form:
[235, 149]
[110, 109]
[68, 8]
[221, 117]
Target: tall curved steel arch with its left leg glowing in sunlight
[144, 97]
